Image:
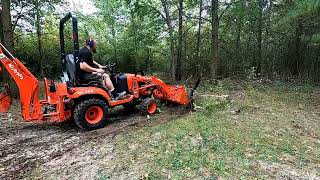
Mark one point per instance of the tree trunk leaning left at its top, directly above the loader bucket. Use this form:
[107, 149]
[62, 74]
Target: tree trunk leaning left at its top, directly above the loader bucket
[172, 41]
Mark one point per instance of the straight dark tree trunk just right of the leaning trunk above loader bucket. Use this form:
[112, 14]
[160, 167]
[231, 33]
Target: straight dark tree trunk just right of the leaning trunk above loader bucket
[179, 56]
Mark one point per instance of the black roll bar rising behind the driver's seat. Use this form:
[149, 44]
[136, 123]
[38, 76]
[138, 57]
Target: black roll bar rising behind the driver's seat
[75, 38]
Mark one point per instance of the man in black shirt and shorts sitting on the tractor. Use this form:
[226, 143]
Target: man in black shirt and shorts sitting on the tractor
[90, 70]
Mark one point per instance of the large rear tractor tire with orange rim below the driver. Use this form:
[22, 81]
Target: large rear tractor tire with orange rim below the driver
[91, 114]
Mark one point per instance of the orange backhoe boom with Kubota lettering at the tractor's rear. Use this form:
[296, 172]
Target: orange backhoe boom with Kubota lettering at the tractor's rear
[26, 82]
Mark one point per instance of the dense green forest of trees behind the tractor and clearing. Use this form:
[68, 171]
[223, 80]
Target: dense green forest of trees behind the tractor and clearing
[178, 39]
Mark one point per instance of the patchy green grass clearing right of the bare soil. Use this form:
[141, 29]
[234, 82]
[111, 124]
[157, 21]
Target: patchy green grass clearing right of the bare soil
[276, 127]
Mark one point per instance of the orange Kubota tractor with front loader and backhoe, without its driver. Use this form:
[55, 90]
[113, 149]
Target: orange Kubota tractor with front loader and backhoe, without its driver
[85, 102]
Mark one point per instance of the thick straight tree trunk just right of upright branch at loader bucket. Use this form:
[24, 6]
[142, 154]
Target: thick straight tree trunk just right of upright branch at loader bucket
[215, 36]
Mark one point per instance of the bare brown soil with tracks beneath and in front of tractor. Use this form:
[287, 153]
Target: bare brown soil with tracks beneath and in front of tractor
[35, 150]
